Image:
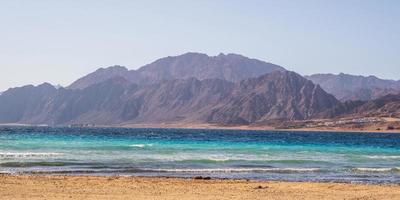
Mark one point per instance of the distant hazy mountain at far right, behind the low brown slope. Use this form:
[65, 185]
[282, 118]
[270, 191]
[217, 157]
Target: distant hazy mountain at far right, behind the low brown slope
[349, 87]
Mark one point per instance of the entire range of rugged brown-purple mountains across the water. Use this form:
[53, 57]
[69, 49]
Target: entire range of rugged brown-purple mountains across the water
[194, 88]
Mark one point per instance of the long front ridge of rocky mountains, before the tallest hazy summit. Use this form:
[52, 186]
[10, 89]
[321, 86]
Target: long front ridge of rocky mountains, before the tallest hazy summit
[279, 95]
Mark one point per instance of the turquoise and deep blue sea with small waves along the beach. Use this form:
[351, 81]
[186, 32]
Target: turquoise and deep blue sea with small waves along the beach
[267, 155]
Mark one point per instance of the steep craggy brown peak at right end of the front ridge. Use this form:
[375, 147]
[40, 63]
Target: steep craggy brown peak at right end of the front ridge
[274, 96]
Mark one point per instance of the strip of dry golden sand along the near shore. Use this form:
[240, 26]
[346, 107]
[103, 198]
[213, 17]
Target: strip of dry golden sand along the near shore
[98, 188]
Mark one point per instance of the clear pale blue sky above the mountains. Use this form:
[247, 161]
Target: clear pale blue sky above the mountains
[60, 41]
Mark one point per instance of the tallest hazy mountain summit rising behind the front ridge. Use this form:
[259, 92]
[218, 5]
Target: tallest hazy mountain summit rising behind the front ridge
[230, 67]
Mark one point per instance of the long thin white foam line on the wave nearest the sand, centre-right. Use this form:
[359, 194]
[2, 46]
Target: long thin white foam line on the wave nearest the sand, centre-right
[238, 170]
